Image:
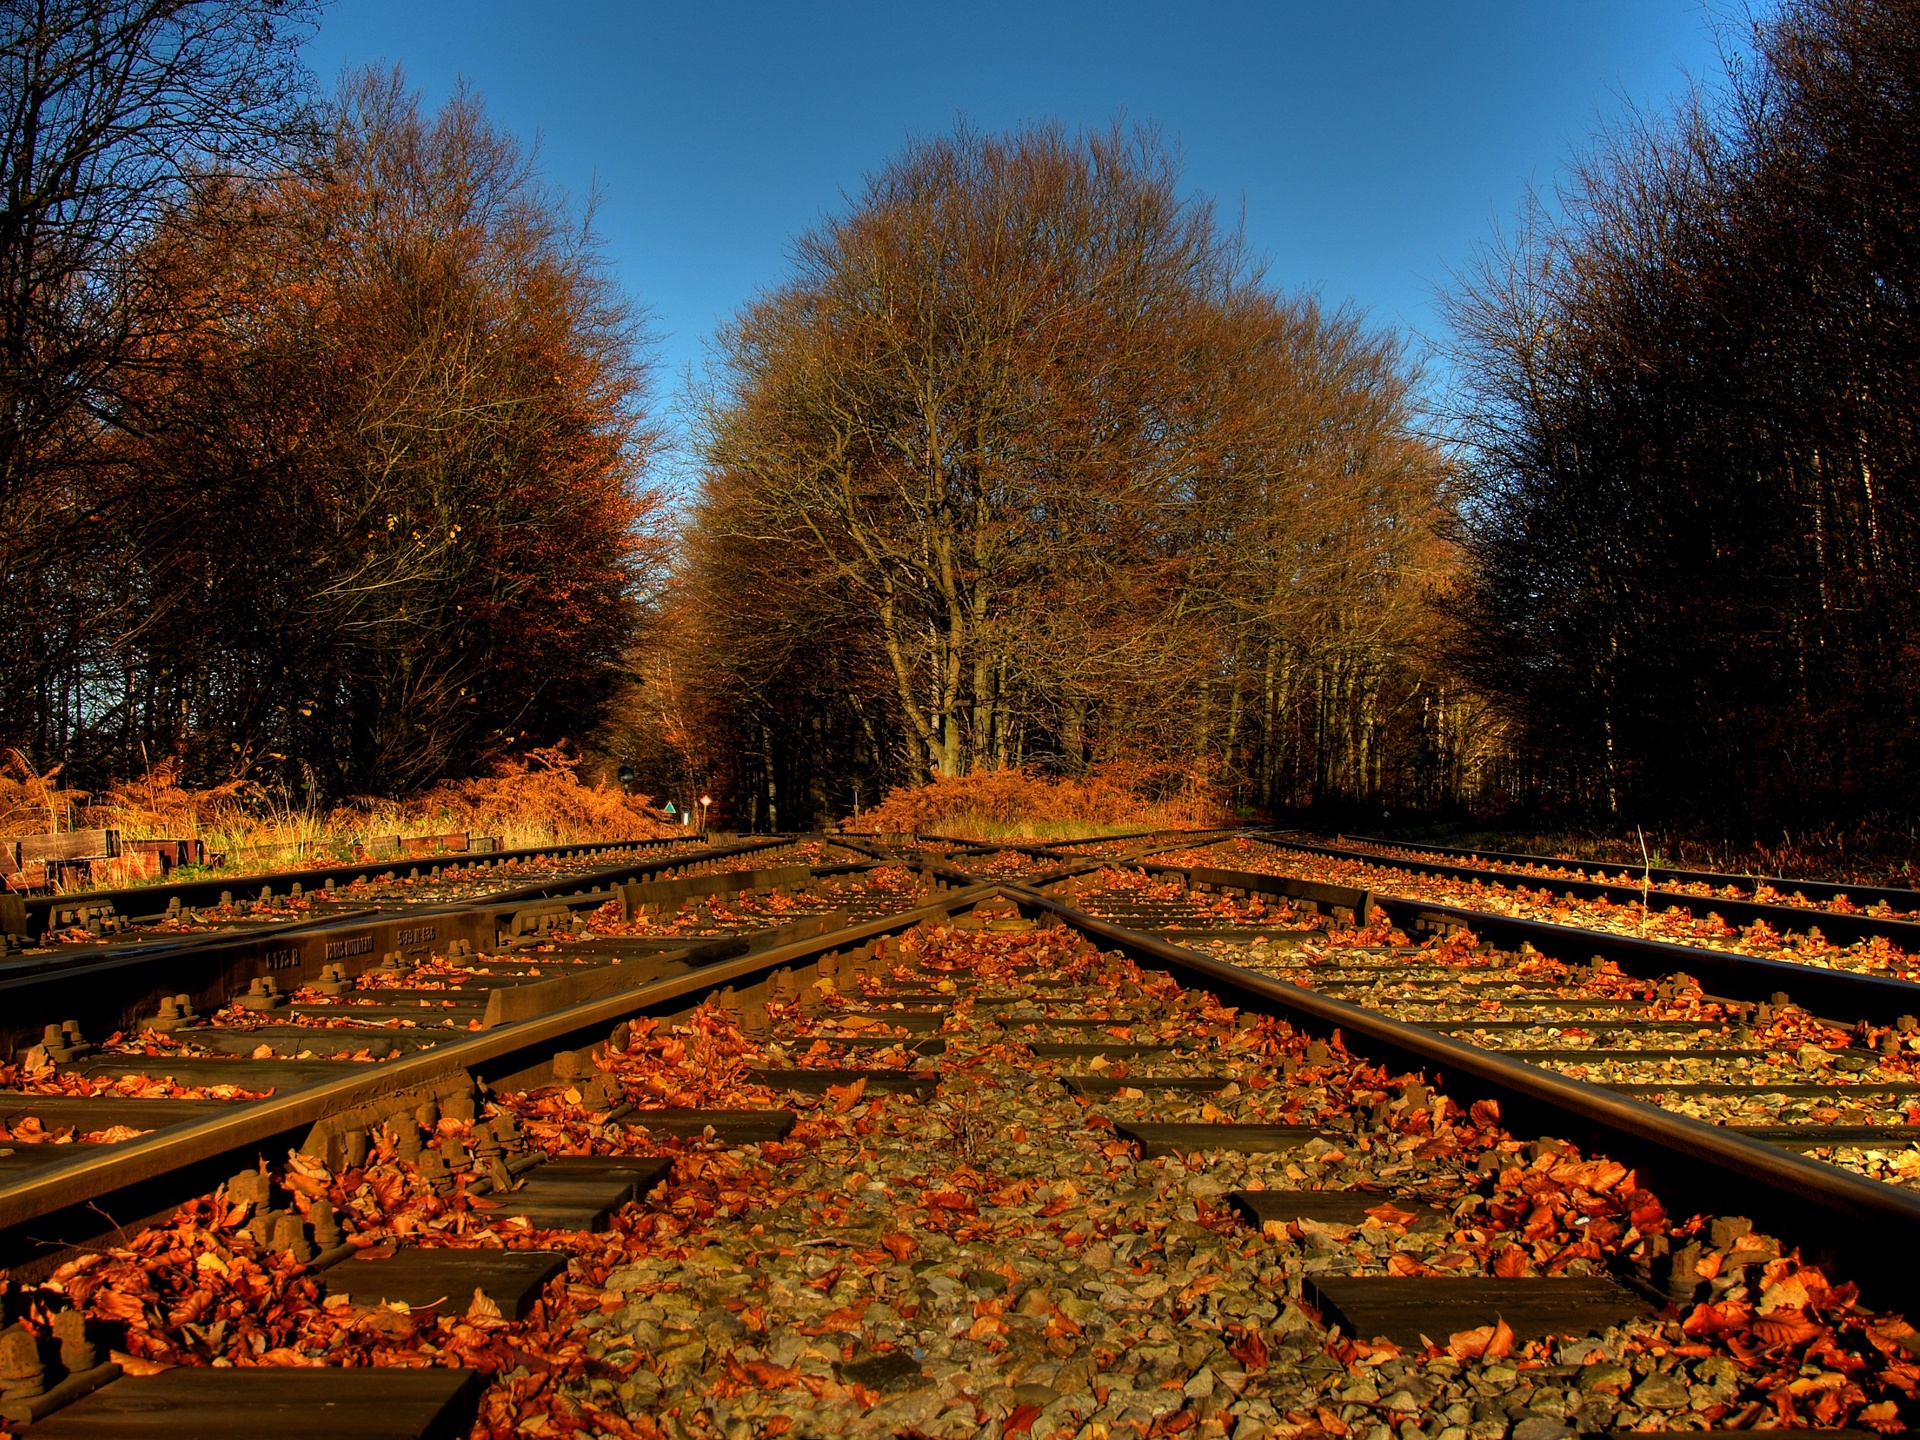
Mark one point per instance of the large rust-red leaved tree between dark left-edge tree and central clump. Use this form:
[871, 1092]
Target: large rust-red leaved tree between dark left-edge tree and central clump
[383, 506]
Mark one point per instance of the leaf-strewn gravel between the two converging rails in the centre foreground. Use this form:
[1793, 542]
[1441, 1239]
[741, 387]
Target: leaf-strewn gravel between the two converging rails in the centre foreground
[997, 1260]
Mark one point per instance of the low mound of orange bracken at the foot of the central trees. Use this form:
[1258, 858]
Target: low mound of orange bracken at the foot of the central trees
[1020, 805]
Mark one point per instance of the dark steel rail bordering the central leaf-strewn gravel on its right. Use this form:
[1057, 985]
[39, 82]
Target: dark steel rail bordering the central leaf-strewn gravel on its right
[1865, 1228]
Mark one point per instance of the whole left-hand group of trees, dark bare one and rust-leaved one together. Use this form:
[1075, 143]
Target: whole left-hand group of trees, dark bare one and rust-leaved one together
[322, 423]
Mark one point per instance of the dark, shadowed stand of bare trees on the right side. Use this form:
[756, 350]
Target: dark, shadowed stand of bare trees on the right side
[1689, 414]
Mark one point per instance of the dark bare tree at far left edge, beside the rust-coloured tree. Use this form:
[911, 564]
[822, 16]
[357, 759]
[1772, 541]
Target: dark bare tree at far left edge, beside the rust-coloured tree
[110, 110]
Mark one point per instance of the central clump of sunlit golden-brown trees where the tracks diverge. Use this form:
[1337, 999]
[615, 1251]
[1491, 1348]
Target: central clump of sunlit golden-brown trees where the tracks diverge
[1026, 466]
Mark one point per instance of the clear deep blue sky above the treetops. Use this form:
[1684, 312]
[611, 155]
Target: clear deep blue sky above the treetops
[1370, 143]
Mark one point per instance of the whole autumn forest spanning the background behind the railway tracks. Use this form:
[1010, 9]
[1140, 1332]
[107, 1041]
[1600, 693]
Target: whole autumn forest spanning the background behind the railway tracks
[331, 460]
